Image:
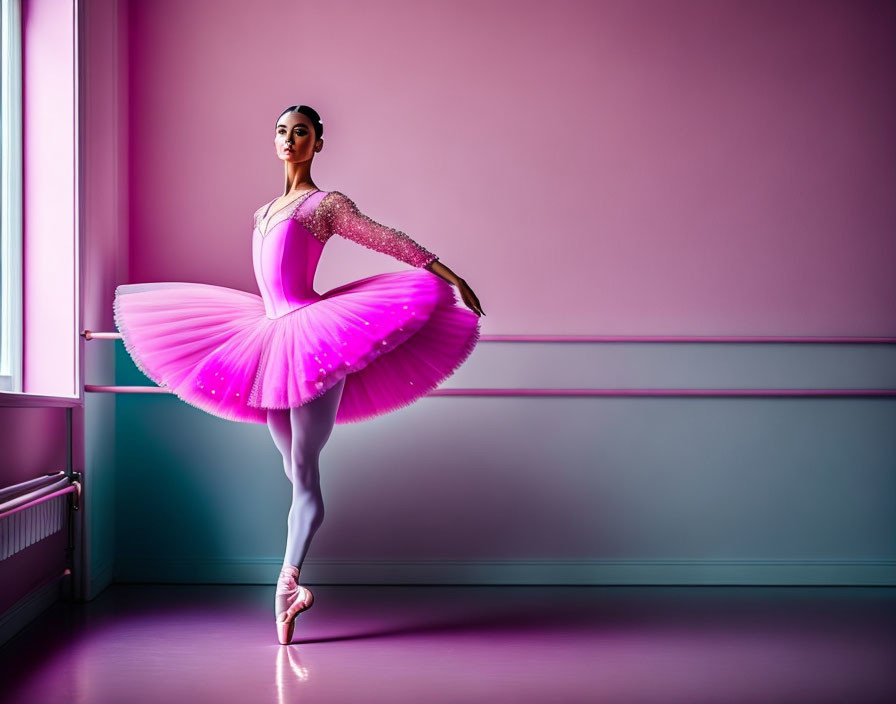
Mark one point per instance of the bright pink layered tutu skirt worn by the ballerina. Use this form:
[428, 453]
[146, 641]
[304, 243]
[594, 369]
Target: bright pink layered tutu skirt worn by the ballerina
[394, 336]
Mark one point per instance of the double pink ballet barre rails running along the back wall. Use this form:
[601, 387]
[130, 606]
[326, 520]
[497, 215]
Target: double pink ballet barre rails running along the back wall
[636, 392]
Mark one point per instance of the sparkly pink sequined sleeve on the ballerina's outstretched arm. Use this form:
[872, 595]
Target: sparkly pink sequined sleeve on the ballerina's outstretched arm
[338, 214]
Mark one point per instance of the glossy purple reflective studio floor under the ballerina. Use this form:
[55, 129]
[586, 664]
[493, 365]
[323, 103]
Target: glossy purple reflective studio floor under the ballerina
[136, 644]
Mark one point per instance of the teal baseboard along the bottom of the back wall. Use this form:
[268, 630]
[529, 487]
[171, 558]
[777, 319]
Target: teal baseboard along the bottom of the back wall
[517, 572]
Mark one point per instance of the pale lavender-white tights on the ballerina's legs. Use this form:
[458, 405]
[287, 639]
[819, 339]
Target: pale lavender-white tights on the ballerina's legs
[300, 434]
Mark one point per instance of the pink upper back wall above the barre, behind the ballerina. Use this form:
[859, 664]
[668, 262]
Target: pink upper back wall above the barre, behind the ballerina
[690, 167]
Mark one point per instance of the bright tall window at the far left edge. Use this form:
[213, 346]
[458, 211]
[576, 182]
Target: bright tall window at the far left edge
[10, 196]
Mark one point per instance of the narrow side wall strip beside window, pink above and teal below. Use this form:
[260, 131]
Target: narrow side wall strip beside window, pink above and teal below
[104, 259]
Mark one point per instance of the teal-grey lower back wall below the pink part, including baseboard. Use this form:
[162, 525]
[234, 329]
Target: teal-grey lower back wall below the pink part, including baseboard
[539, 490]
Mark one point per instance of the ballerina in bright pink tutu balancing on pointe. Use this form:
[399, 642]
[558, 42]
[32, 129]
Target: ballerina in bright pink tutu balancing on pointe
[297, 360]
